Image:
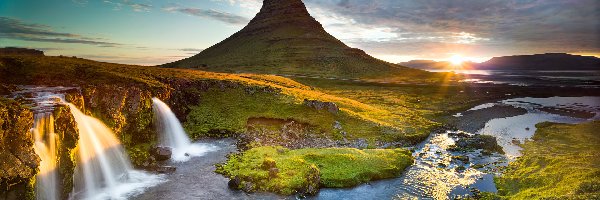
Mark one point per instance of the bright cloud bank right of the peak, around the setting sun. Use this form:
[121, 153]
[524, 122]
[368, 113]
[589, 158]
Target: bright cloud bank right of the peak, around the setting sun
[407, 27]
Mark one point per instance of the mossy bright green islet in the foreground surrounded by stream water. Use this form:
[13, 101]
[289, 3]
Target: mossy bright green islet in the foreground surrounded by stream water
[337, 167]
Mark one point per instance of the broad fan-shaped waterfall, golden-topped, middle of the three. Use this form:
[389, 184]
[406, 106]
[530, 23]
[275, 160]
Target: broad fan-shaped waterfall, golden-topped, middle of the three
[104, 170]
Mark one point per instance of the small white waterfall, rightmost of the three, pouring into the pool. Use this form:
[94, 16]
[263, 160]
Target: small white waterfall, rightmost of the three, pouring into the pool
[172, 135]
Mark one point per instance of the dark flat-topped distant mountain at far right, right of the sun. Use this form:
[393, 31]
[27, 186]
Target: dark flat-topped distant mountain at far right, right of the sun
[547, 61]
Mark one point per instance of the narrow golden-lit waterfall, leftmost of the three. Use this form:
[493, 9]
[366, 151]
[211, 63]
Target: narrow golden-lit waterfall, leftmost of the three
[46, 187]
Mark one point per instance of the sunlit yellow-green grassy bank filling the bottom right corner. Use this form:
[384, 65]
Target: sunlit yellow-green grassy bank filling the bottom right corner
[562, 162]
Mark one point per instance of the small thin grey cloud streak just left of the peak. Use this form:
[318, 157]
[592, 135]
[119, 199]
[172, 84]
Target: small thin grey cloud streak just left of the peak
[210, 14]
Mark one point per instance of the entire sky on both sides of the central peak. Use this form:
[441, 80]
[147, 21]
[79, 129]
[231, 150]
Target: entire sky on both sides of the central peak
[150, 32]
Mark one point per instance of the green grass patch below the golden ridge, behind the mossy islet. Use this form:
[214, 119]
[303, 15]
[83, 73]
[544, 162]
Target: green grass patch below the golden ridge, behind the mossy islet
[229, 111]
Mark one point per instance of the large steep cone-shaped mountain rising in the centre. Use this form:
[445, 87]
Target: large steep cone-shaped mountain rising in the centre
[284, 39]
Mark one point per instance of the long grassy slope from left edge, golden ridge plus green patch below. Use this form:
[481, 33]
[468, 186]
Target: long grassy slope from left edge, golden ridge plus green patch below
[364, 119]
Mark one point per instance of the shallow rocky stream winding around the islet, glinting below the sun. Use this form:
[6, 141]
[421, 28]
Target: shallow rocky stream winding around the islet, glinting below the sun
[436, 174]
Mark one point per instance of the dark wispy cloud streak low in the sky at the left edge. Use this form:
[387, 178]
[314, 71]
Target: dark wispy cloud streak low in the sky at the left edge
[19, 30]
